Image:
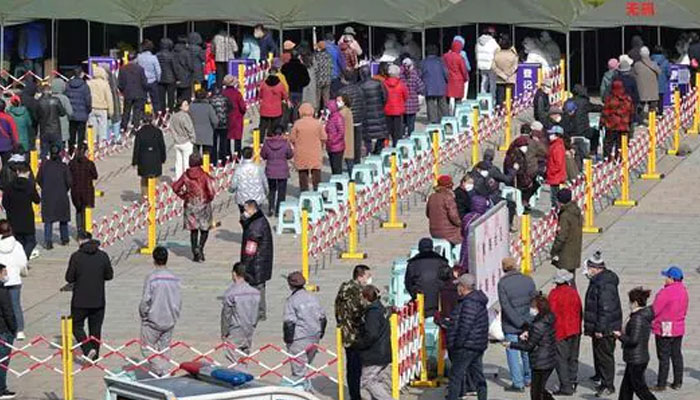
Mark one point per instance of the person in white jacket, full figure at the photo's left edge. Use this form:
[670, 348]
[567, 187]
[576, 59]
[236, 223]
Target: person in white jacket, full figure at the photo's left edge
[12, 256]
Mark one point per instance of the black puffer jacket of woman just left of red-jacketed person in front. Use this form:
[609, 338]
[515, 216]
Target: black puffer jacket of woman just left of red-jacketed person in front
[541, 342]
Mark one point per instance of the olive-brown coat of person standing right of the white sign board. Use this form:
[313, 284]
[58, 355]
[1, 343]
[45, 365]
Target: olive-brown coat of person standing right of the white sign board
[568, 242]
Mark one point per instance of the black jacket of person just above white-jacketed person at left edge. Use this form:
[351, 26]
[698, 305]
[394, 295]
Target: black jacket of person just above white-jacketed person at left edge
[17, 201]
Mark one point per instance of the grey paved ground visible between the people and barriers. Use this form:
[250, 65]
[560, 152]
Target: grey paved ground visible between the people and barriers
[637, 244]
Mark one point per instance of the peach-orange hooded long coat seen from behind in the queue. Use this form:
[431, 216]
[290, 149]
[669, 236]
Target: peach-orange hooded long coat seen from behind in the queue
[307, 137]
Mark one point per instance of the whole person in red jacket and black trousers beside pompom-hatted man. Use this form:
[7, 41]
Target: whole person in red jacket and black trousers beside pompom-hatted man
[565, 304]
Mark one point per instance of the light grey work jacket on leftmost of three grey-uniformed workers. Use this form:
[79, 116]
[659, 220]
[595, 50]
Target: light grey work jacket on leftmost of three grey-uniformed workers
[161, 301]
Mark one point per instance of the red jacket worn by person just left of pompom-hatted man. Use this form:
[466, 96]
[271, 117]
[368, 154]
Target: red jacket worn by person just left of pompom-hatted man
[565, 304]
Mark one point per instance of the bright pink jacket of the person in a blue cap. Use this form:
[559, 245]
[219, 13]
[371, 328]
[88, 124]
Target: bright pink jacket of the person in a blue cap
[670, 307]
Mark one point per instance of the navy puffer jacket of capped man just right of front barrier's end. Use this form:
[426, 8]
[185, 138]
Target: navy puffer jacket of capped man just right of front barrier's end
[469, 325]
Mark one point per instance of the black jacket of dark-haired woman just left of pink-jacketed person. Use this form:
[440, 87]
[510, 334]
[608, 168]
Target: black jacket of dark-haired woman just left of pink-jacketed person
[635, 339]
